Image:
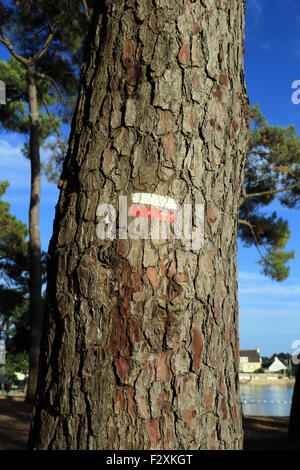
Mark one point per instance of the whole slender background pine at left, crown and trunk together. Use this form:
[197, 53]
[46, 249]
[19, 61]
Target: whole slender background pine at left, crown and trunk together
[45, 40]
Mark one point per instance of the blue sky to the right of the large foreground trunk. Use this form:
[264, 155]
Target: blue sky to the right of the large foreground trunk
[270, 311]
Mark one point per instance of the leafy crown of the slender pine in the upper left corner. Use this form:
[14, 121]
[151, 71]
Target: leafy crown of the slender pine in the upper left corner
[27, 26]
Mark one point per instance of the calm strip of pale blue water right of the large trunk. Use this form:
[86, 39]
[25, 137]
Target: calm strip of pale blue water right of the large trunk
[266, 400]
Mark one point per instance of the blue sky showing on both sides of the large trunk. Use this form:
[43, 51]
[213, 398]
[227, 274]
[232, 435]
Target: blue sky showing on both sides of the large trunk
[269, 311]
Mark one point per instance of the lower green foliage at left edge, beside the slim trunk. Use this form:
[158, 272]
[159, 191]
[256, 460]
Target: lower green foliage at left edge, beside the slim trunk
[14, 275]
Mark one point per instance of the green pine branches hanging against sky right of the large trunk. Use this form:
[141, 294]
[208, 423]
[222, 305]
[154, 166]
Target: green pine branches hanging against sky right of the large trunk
[273, 163]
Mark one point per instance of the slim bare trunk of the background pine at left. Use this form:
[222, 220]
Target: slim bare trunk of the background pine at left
[36, 310]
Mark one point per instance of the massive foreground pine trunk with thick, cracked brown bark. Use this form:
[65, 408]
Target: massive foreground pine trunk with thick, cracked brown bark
[140, 341]
